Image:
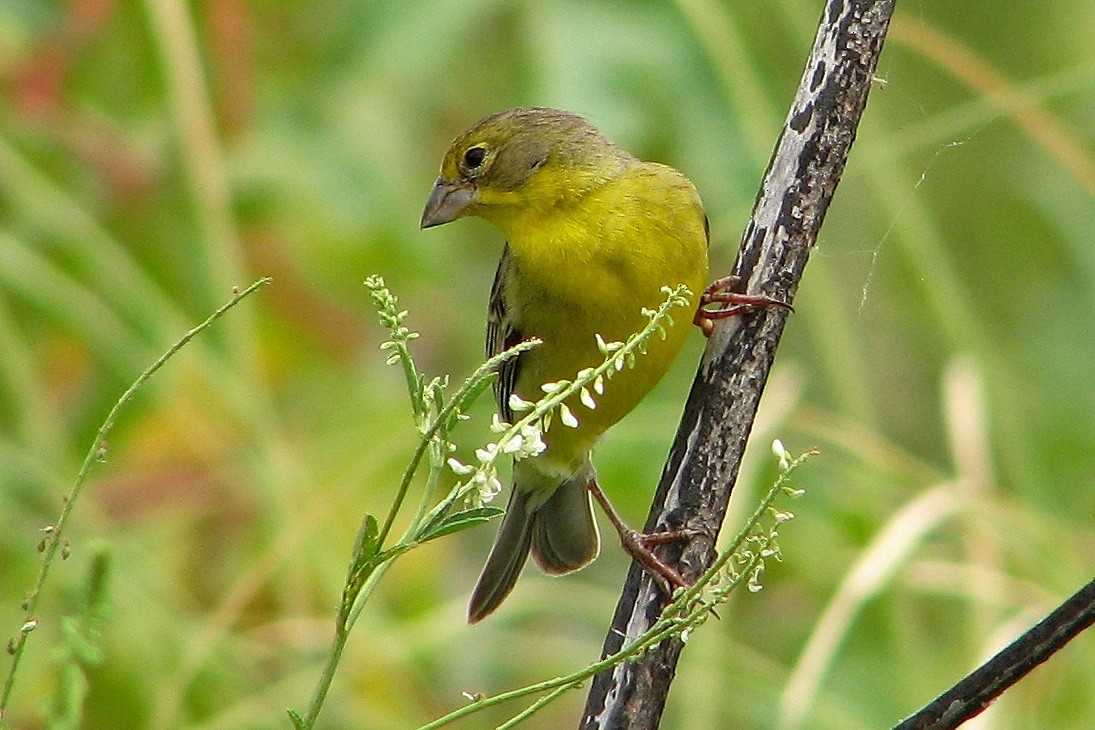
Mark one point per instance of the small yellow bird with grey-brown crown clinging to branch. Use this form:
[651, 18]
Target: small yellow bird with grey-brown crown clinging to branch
[593, 236]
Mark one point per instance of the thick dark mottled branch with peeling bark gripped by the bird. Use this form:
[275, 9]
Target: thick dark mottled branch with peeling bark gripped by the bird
[704, 462]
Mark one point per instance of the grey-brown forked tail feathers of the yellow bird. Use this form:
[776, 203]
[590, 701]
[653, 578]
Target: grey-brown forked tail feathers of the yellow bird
[561, 534]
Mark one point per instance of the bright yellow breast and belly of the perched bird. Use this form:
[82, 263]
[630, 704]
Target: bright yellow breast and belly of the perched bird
[592, 273]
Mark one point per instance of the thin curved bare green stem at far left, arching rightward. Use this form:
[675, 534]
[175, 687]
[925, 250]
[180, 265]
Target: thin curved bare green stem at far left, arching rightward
[54, 539]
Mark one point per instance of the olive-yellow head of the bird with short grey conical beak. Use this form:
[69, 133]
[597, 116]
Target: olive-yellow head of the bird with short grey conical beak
[522, 164]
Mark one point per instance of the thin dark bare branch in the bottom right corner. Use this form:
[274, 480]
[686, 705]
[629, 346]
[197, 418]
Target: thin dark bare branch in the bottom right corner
[990, 680]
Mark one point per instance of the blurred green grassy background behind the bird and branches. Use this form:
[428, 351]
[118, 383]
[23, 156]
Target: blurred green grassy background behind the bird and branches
[155, 155]
